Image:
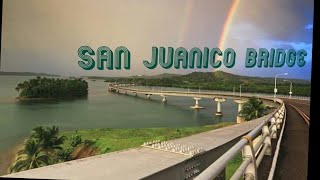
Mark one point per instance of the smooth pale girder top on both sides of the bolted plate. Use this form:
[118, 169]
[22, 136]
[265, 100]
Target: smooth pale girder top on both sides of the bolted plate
[136, 163]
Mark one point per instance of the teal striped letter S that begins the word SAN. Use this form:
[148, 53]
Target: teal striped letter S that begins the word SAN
[90, 62]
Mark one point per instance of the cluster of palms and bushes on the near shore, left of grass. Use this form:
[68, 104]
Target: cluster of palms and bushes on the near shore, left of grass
[45, 146]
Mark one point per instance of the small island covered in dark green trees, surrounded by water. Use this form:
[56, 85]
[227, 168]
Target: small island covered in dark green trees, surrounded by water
[52, 88]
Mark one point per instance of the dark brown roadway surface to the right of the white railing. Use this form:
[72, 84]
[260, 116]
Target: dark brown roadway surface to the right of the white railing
[293, 155]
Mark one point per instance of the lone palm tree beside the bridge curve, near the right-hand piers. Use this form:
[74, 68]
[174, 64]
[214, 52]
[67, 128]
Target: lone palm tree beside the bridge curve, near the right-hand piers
[253, 108]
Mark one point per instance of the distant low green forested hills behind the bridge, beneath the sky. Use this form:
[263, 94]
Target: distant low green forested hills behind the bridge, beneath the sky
[220, 80]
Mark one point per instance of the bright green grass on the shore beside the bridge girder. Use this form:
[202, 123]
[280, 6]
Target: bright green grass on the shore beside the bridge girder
[110, 140]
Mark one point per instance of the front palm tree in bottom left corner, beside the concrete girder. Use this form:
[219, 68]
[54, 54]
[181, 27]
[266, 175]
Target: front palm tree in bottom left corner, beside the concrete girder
[30, 157]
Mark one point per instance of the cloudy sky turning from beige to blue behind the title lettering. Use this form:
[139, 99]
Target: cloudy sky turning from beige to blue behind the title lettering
[44, 35]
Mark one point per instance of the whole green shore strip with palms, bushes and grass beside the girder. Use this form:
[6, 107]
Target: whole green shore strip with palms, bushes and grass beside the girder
[44, 146]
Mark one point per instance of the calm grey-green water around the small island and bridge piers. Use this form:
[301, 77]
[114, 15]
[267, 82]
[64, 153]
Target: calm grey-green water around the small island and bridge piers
[102, 109]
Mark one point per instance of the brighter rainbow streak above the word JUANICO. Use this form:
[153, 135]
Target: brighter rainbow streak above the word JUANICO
[227, 23]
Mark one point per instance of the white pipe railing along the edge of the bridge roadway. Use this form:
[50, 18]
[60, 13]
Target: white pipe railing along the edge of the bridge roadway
[254, 146]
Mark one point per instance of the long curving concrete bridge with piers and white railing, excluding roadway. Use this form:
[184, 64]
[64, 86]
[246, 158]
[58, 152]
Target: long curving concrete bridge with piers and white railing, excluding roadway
[201, 156]
